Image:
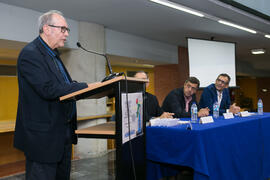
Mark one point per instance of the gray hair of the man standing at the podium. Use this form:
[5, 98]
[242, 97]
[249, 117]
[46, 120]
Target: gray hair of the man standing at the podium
[46, 18]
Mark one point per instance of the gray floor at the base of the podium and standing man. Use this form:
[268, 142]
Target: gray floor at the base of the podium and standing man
[99, 168]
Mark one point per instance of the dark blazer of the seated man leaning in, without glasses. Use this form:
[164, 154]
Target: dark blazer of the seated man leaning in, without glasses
[175, 103]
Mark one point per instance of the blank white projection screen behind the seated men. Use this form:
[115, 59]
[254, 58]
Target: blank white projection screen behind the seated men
[208, 59]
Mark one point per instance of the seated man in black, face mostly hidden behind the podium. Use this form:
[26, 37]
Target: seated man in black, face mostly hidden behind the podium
[153, 110]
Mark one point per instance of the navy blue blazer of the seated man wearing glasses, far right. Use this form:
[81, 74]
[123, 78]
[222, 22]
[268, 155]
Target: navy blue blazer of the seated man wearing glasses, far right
[209, 96]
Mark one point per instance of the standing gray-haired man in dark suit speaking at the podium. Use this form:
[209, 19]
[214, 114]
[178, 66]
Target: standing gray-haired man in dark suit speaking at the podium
[45, 126]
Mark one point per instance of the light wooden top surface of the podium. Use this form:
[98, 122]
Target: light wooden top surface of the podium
[96, 85]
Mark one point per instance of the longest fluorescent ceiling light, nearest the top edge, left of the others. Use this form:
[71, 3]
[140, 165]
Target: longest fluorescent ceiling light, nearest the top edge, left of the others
[178, 7]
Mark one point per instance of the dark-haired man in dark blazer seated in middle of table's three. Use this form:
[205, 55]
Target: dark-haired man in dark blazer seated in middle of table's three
[179, 100]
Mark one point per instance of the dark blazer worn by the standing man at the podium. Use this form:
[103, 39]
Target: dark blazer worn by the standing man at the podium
[41, 123]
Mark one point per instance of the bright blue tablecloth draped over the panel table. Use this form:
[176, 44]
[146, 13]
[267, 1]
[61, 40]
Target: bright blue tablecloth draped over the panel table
[227, 149]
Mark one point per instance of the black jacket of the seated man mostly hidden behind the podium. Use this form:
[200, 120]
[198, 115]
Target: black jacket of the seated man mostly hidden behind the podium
[152, 106]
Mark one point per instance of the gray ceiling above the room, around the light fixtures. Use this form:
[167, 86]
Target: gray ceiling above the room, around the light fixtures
[153, 21]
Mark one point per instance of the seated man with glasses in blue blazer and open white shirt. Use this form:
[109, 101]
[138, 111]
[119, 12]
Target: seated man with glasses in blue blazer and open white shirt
[219, 92]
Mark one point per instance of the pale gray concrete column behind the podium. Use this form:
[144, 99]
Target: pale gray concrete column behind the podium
[87, 67]
